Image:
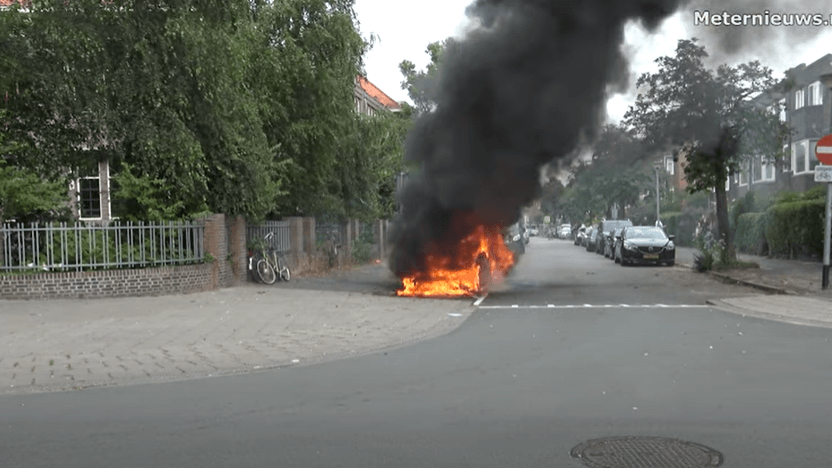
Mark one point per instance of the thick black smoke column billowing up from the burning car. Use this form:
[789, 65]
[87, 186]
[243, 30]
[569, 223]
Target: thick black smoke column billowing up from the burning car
[517, 93]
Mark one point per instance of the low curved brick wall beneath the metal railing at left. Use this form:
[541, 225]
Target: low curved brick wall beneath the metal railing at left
[112, 283]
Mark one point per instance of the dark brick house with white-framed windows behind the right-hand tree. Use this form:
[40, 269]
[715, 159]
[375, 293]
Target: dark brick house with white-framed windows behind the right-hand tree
[805, 104]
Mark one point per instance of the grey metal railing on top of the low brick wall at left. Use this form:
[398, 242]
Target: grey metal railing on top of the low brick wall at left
[81, 247]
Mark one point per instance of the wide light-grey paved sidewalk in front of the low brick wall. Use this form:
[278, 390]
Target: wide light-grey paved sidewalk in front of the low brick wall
[72, 344]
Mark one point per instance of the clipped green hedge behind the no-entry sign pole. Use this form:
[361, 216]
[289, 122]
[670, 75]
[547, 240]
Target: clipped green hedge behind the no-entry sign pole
[796, 227]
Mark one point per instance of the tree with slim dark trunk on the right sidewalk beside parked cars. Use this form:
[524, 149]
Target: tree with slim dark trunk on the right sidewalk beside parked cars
[711, 116]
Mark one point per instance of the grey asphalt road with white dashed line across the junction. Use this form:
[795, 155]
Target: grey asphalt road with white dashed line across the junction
[590, 350]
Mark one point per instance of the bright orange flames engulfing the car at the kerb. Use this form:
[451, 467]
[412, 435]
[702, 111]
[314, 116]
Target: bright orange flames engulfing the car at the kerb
[486, 256]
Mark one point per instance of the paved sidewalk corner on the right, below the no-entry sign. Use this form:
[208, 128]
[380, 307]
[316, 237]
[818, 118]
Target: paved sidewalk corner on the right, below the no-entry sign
[794, 293]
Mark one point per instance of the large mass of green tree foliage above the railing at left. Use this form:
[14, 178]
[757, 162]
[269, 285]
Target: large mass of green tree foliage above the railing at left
[241, 106]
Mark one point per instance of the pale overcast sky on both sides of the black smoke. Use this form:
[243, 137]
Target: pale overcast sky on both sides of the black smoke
[405, 27]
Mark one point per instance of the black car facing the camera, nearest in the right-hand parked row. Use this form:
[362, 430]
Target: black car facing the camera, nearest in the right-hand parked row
[645, 244]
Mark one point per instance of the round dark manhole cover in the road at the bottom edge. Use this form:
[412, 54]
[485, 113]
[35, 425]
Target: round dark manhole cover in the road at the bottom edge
[645, 452]
